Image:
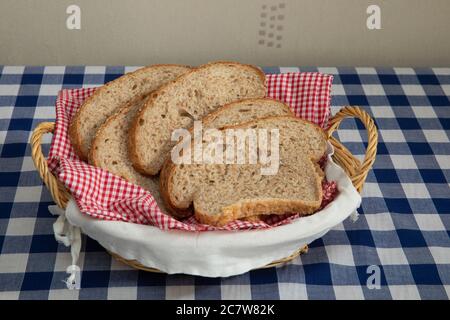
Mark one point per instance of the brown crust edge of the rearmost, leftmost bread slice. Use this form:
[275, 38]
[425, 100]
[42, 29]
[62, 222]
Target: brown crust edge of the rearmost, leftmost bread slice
[74, 127]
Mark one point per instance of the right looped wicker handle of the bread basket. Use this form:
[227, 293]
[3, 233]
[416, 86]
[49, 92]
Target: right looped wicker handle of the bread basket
[357, 171]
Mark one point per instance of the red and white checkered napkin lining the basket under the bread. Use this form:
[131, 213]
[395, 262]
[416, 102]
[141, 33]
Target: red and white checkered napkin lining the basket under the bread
[103, 195]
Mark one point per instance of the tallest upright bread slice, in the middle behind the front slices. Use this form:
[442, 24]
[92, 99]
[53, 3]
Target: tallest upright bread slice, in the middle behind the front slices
[191, 97]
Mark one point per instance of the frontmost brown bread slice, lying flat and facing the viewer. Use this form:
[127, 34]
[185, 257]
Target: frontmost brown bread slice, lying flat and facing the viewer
[221, 193]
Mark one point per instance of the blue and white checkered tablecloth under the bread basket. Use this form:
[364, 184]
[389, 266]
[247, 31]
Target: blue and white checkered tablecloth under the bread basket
[404, 226]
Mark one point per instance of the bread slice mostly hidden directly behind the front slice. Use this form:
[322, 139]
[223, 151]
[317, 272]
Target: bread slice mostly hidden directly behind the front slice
[233, 114]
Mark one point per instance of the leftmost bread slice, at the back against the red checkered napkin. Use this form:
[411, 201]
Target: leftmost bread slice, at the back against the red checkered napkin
[111, 97]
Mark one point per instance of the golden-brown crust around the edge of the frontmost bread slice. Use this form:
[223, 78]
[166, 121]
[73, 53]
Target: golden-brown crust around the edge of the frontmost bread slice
[247, 208]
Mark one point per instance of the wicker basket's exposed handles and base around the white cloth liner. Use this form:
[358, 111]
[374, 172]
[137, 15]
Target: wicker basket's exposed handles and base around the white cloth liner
[356, 170]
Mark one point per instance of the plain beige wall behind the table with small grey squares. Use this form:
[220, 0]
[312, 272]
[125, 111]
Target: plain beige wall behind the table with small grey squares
[140, 32]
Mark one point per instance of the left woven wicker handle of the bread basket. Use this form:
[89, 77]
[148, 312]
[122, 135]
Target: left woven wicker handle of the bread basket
[58, 191]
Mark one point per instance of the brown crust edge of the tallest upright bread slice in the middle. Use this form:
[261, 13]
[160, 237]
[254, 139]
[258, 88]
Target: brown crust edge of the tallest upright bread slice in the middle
[132, 145]
